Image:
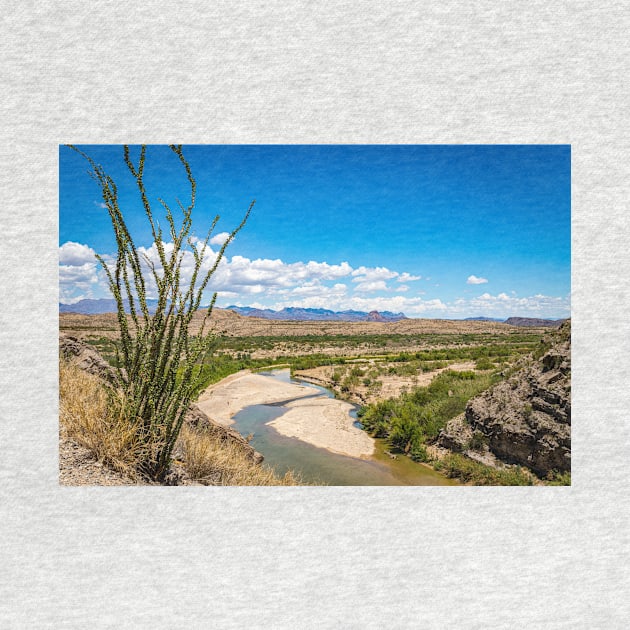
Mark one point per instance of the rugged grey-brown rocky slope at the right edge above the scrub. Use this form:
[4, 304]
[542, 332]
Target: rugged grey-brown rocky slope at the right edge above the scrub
[525, 419]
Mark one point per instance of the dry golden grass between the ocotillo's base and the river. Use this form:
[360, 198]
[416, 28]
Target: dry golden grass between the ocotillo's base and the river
[209, 460]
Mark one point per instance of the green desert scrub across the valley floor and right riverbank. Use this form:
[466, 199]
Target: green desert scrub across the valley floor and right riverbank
[411, 422]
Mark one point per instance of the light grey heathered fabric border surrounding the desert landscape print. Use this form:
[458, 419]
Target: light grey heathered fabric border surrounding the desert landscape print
[326, 72]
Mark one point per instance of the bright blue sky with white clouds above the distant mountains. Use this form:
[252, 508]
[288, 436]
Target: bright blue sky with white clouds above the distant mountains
[447, 231]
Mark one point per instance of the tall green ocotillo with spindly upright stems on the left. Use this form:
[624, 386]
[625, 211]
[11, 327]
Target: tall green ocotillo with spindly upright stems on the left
[159, 360]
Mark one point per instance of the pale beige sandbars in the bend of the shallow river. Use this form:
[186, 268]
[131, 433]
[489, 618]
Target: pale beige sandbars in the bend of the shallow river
[320, 421]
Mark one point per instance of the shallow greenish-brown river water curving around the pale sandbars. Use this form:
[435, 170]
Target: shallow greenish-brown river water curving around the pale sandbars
[318, 465]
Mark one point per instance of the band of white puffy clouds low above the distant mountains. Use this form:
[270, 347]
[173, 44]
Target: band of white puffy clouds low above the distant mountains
[273, 283]
